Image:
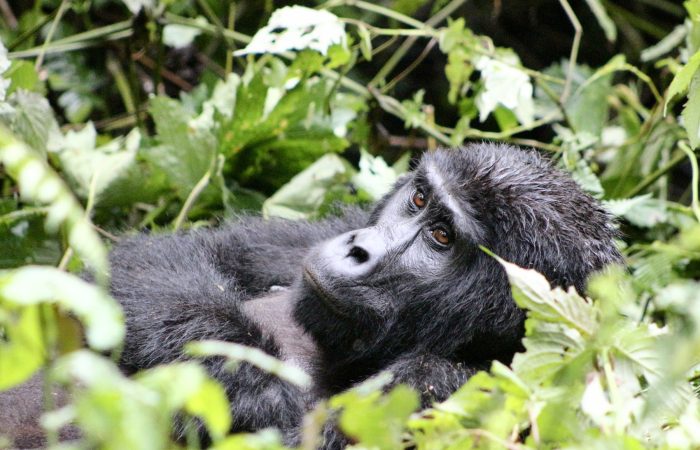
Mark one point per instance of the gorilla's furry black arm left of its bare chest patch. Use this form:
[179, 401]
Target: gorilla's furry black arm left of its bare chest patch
[172, 293]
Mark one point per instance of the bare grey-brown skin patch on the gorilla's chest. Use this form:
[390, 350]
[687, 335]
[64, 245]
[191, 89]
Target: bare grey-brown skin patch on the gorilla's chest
[273, 313]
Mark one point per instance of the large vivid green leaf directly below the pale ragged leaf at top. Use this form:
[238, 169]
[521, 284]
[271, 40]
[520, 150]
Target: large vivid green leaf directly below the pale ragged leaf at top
[267, 146]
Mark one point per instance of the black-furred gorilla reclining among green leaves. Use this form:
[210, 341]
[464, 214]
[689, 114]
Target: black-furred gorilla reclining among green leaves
[404, 288]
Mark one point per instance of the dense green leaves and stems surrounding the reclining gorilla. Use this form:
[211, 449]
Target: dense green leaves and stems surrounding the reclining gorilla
[143, 114]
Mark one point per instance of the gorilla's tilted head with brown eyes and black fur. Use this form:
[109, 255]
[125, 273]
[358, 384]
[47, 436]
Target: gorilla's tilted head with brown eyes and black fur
[415, 278]
